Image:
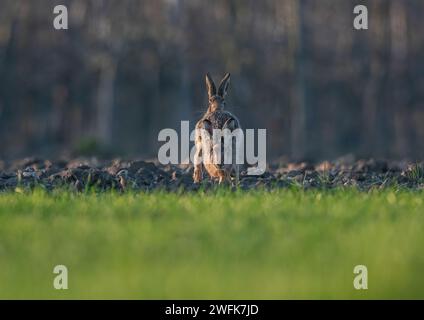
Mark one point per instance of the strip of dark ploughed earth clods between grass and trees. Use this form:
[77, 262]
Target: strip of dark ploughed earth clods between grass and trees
[87, 174]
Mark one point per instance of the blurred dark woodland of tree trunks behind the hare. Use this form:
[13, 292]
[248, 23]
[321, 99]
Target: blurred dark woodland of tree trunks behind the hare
[125, 69]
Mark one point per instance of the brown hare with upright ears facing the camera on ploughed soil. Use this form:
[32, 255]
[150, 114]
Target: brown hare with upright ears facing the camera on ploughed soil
[215, 118]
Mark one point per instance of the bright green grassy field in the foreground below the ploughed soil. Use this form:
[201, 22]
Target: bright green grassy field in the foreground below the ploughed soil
[280, 244]
